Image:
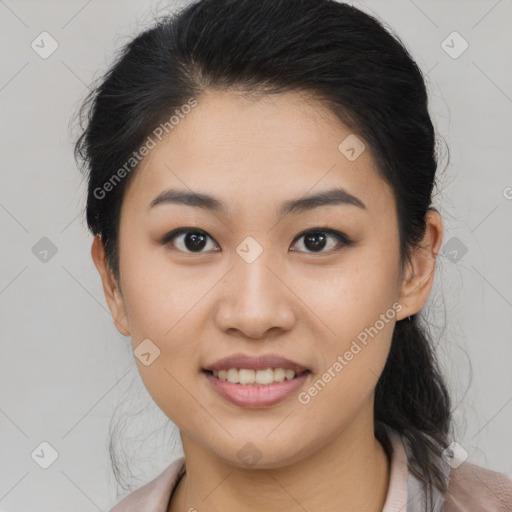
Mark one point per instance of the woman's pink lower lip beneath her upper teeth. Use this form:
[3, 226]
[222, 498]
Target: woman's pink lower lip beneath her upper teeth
[254, 396]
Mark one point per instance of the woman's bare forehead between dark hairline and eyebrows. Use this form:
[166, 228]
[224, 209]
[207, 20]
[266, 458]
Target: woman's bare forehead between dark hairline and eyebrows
[277, 146]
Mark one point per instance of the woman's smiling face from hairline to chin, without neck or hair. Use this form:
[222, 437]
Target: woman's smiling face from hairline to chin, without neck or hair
[257, 283]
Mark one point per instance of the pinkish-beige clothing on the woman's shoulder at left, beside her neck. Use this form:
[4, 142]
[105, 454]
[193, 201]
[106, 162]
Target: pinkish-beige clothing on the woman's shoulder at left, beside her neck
[153, 496]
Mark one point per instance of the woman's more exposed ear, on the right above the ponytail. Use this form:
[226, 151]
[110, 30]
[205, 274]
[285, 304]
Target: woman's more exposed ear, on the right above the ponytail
[419, 272]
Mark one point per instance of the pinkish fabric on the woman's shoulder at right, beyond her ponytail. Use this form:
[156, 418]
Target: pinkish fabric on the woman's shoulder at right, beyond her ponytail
[476, 489]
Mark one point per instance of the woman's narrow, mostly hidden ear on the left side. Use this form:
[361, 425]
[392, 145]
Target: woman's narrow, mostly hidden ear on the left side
[110, 287]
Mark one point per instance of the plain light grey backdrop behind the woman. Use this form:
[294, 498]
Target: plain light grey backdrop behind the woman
[64, 367]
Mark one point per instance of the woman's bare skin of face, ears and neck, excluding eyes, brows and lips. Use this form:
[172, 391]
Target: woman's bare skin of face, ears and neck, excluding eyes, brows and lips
[303, 304]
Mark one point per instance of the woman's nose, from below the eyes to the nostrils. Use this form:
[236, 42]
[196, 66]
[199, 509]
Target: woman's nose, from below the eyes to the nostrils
[255, 299]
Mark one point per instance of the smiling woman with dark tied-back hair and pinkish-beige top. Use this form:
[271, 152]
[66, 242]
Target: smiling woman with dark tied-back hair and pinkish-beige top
[260, 177]
